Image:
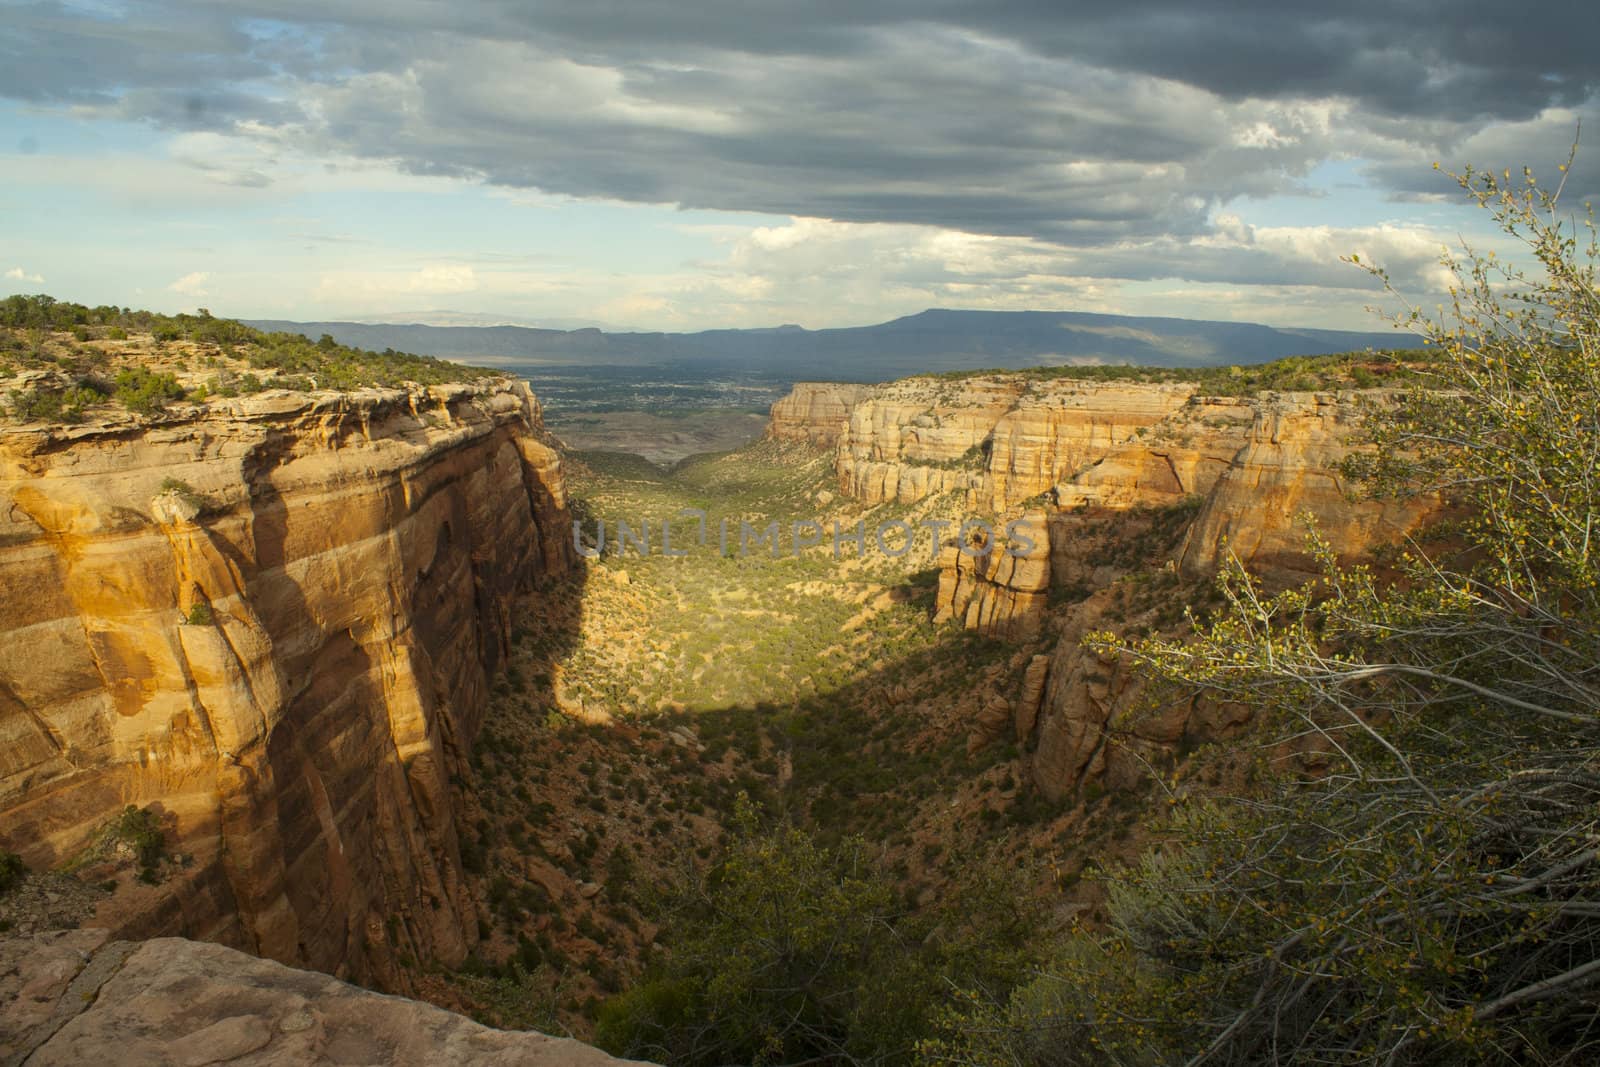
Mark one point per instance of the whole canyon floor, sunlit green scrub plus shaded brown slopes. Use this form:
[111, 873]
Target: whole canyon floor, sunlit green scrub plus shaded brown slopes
[647, 693]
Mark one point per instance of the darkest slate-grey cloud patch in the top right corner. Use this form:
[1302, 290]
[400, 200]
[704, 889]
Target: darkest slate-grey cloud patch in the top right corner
[1418, 58]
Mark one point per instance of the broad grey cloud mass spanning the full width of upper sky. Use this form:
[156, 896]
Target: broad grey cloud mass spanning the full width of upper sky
[1068, 122]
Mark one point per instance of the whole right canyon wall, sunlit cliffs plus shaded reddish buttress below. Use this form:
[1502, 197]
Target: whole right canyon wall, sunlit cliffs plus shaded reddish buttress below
[1113, 481]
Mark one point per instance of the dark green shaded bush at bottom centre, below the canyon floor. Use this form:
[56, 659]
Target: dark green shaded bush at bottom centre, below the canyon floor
[786, 951]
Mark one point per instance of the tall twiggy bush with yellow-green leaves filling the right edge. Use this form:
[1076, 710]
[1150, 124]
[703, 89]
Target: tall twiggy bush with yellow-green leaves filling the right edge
[1434, 897]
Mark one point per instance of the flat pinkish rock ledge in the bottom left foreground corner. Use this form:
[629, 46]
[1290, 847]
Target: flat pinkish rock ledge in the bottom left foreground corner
[76, 999]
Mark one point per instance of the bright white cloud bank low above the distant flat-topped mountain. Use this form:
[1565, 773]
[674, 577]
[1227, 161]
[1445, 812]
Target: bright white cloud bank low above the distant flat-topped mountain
[822, 273]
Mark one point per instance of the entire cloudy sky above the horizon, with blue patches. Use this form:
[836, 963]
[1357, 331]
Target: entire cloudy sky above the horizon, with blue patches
[702, 164]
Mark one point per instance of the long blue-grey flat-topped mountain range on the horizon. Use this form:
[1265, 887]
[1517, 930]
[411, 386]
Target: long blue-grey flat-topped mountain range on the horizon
[929, 342]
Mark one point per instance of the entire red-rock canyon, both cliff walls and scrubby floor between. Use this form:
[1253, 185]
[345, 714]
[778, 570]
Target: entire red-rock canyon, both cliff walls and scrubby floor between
[338, 647]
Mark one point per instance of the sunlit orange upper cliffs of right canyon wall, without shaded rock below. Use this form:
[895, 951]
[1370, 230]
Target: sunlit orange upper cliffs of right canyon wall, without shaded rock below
[1255, 466]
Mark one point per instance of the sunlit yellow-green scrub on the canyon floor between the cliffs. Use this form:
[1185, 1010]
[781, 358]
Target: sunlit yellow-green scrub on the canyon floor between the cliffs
[719, 629]
